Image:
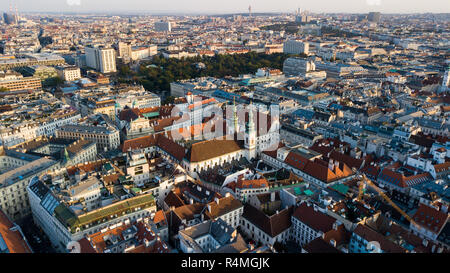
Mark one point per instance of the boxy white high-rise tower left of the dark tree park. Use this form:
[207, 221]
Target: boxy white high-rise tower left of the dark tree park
[101, 58]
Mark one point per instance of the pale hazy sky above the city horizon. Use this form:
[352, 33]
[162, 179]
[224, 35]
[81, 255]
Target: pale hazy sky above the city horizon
[228, 6]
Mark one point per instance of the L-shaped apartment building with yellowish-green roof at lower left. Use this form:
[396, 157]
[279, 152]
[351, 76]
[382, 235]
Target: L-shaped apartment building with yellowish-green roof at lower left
[63, 226]
